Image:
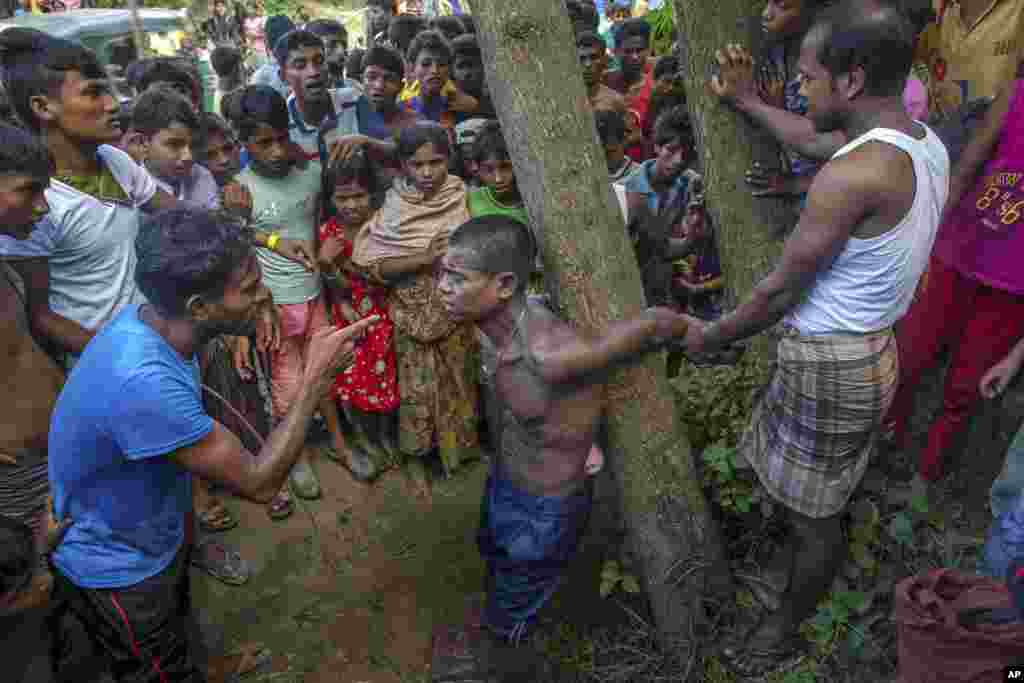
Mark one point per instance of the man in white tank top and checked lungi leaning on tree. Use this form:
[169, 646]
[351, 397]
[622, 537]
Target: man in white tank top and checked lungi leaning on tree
[847, 274]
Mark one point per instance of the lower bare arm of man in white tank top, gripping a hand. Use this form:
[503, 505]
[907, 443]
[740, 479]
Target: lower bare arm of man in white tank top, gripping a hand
[843, 194]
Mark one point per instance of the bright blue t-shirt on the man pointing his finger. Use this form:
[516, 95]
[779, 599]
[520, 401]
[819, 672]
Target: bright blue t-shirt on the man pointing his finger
[131, 401]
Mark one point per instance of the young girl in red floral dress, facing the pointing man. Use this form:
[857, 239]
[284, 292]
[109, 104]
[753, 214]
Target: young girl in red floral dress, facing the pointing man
[368, 390]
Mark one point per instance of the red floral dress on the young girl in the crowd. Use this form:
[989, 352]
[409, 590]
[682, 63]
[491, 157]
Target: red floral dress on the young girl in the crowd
[371, 383]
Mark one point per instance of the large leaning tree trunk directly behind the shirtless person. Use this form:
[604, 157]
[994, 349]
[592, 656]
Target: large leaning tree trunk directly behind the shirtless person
[533, 73]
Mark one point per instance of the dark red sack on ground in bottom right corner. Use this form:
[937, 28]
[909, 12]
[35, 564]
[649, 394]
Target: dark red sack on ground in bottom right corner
[933, 645]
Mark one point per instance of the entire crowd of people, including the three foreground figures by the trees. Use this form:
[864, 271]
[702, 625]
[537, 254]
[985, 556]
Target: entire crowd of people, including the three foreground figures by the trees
[343, 247]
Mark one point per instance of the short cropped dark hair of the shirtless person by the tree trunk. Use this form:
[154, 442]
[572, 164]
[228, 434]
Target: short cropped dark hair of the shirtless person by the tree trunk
[498, 244]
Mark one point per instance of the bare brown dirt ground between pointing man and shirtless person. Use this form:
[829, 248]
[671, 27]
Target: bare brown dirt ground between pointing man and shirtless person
[351, 586]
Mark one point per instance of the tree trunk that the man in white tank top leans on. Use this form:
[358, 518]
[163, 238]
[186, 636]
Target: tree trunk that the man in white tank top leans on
[750, 230]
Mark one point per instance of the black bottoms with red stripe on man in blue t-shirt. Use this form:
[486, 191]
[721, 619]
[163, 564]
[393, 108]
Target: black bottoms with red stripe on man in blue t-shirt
[139, 634]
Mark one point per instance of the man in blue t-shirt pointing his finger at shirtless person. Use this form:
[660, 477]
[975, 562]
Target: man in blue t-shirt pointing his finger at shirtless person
[130, 430]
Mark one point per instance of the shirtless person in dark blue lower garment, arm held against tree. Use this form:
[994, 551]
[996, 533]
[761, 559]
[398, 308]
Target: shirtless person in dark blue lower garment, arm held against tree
[548, 380]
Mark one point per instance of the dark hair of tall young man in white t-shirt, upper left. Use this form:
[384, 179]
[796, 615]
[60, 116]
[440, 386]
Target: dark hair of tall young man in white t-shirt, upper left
[35, 64]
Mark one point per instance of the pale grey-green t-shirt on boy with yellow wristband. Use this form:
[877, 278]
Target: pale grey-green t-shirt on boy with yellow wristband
[286, 206]
